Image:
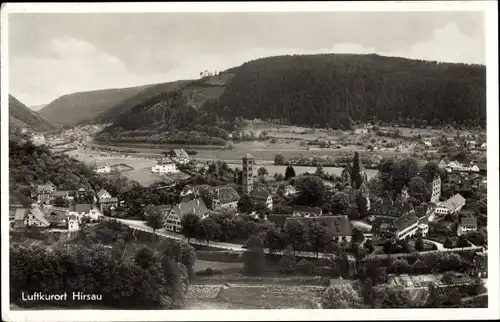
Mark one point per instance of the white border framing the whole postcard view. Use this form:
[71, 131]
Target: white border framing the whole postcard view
[490, 9]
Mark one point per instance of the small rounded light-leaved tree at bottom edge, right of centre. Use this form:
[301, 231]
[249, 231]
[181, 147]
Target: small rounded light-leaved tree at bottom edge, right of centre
[342, 296]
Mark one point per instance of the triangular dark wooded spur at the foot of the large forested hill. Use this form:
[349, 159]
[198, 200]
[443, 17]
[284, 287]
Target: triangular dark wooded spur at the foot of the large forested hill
[168, 118]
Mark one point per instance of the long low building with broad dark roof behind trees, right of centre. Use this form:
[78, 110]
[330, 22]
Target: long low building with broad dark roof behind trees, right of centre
[338, 226]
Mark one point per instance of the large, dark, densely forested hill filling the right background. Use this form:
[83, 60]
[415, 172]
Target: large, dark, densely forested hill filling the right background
[326, 89]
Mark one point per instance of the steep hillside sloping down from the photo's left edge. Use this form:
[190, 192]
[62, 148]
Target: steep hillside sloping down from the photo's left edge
[21, 116]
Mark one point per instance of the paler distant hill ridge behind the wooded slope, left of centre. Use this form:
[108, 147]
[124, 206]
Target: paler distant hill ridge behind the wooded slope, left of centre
[79, 107]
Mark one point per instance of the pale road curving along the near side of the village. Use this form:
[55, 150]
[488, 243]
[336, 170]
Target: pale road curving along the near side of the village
[142, 226]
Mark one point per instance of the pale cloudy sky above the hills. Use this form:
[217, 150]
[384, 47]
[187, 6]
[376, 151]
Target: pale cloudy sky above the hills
[51, 55]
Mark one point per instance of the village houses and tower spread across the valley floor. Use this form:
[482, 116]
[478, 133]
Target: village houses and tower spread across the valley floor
[391, 226]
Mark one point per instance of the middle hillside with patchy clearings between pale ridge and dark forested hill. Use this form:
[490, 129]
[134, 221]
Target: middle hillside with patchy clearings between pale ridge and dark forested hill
[170, 113]
